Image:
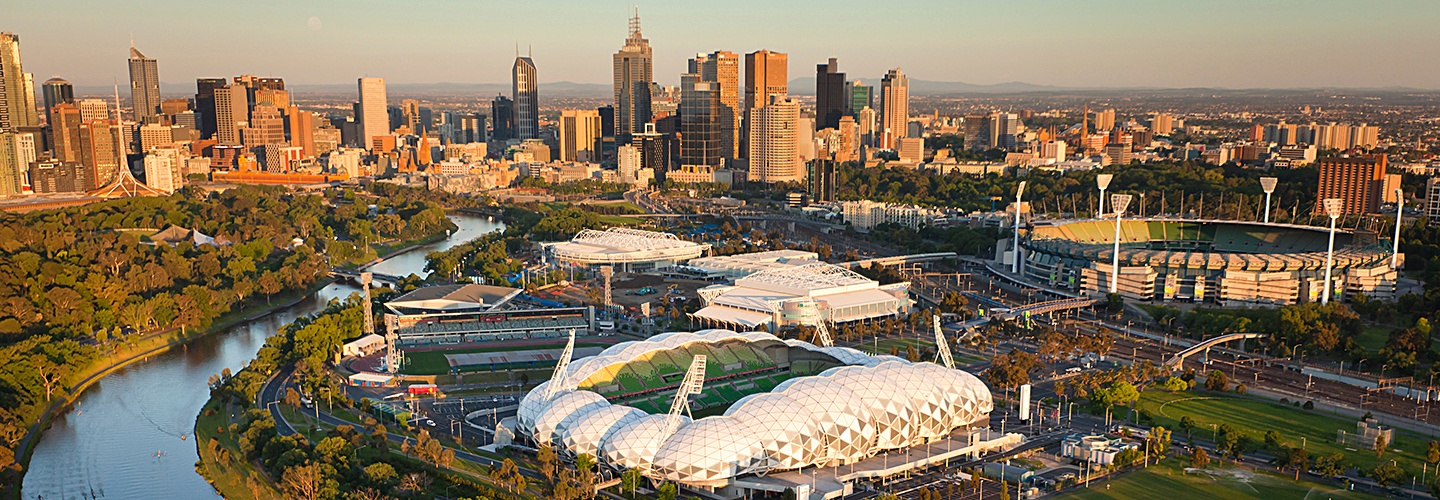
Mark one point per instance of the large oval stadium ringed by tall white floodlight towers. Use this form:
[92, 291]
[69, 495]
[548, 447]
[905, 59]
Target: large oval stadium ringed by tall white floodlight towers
[1223, 262]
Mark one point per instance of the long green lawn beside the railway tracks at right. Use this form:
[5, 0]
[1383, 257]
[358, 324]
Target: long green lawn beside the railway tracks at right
[1256, 417]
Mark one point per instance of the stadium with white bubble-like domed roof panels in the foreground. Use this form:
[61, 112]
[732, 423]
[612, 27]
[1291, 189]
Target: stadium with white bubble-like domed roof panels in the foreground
[762, 407]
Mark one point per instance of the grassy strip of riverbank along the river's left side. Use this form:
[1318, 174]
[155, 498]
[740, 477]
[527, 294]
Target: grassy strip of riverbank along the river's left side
[139, 351]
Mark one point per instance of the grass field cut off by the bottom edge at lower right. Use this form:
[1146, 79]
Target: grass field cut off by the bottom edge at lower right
[1170, 481]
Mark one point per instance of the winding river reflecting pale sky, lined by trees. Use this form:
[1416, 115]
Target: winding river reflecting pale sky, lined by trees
[130, 434]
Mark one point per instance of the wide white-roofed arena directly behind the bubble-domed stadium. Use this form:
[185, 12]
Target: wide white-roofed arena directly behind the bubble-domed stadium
[801, 295]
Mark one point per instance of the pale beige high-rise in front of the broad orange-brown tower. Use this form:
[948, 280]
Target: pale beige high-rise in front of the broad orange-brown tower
[774, 142]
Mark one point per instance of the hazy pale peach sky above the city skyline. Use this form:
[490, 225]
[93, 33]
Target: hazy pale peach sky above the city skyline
[1232, 44]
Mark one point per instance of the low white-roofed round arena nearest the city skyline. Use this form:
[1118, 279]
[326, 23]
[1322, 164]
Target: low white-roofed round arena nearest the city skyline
[627, 250]
